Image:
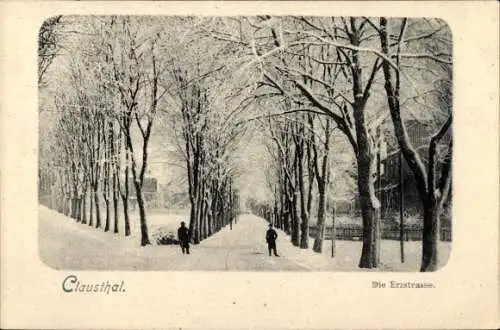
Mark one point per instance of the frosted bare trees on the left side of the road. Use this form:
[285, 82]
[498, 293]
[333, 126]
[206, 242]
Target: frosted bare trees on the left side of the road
[107, 97]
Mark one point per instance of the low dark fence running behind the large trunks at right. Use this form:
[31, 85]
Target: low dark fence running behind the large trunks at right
[356, 233]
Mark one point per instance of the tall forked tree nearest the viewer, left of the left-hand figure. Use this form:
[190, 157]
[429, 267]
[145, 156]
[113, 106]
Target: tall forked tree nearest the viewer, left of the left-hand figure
[130, 61]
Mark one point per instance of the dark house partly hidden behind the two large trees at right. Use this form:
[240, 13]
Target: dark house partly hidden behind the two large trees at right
[420, 135]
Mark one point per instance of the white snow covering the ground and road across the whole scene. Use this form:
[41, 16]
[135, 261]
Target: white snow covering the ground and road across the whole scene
[66, 244]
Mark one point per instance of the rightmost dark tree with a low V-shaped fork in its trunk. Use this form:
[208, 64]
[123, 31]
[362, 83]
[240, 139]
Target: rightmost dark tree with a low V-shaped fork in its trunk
[433, 186]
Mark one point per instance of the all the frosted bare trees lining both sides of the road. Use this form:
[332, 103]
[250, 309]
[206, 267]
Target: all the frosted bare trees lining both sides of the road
[311, 75]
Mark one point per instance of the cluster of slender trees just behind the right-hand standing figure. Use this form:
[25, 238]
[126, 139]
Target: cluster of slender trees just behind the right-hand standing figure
[300, 175]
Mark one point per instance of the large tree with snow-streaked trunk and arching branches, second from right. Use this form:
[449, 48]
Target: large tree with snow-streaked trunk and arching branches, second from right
[345, 37]
